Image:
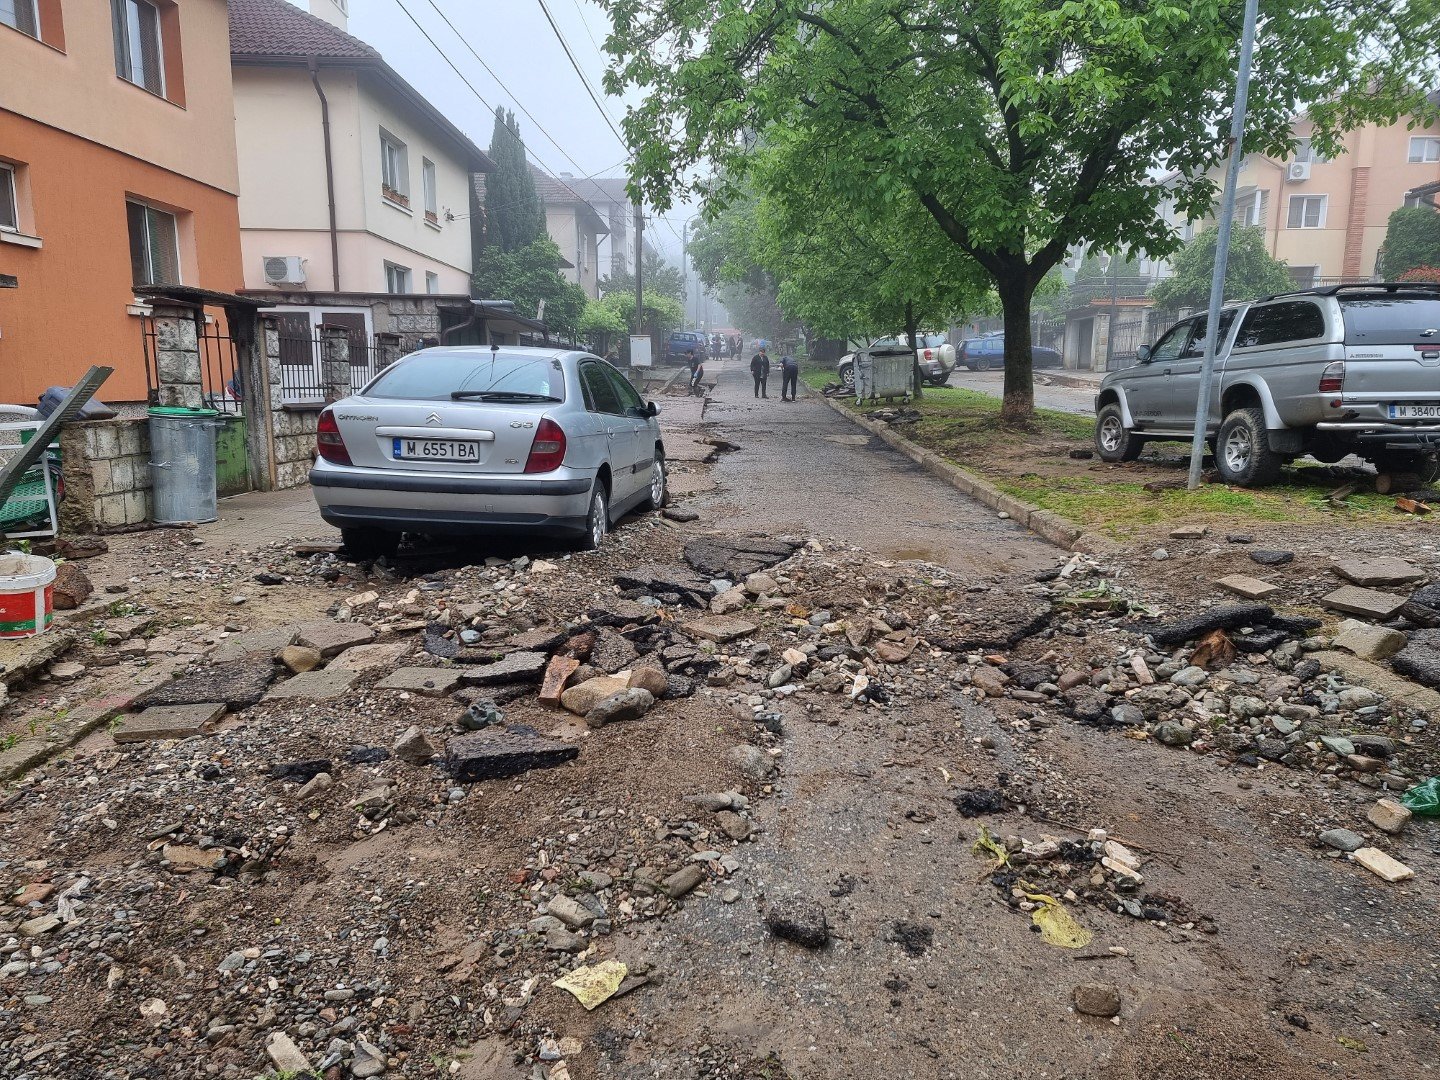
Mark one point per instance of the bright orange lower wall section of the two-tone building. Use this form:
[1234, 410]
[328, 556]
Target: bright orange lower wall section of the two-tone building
[76, 296]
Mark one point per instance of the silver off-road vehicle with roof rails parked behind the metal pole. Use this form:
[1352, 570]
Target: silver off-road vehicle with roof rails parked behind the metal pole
[1330, 372]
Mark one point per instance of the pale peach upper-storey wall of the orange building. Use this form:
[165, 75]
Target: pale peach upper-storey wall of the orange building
[80, 93]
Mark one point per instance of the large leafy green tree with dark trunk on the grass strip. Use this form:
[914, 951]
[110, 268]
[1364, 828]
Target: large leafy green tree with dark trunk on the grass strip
[1020, 127]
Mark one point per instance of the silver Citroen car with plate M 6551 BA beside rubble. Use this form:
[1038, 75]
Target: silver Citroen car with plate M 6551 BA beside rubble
[538, 443]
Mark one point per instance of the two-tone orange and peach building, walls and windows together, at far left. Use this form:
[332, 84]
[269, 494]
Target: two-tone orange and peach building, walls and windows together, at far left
[117, 169]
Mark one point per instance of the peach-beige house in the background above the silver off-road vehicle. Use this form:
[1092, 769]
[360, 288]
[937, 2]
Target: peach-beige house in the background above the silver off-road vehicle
[1327, 217]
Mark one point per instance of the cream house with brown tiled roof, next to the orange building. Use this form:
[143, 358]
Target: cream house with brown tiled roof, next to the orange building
[351, 181]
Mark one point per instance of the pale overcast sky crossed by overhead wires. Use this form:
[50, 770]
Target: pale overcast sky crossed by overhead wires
[516, 41]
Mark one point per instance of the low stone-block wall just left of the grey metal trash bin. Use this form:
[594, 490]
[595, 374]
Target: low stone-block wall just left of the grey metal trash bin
[107, 474]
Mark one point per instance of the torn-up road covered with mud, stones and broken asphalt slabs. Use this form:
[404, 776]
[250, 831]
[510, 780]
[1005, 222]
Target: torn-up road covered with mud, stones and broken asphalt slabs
[742, 797]
